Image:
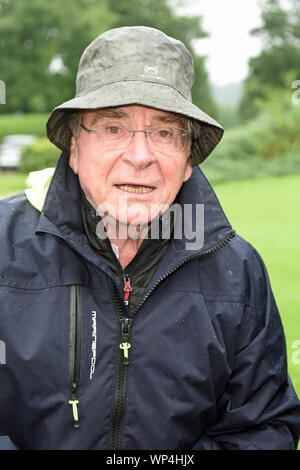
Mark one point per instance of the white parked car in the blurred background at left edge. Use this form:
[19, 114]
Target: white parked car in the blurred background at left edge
[11, 148]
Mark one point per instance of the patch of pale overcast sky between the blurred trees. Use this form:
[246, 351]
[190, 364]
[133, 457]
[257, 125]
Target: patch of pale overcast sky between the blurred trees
[229, 45]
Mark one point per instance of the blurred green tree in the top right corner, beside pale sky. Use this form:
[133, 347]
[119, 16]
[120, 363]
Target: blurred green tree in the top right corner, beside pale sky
[280, 31]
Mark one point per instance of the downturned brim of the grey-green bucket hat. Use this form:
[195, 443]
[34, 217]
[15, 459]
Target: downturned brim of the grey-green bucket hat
[146, 93]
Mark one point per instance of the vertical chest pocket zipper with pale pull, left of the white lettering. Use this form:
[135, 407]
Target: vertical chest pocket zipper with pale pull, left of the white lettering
[75, 350]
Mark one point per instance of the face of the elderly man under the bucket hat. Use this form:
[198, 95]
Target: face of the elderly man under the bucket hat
[132, 182]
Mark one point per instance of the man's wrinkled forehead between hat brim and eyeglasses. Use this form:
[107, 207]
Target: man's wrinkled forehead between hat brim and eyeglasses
[131, 112]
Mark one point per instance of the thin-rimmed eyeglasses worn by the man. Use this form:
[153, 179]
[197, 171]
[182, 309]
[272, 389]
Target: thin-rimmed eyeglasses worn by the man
[117, 136]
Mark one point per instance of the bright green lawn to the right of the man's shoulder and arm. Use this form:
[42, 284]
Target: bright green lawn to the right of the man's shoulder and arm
[267, 213]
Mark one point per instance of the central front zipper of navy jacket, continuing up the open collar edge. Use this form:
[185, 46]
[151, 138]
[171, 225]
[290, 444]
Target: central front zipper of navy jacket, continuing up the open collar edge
[125, 324]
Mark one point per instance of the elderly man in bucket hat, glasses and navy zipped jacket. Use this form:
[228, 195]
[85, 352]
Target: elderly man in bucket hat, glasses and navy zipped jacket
[117, 336]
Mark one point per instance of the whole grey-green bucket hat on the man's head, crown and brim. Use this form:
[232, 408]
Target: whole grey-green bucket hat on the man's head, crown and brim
[136, 65]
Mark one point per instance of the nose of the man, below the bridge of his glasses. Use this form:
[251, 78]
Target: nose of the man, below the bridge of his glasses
[138, 152]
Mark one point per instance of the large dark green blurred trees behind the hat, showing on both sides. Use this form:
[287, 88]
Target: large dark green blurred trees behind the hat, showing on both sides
[41, 43]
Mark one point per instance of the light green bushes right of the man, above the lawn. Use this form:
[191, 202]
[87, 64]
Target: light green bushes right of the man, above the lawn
[269, 145]
